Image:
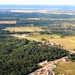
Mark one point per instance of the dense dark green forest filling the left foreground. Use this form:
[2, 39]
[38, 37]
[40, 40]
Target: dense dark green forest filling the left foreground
[21, 56]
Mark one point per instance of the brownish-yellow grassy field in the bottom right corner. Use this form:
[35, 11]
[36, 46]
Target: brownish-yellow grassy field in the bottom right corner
[65, 68]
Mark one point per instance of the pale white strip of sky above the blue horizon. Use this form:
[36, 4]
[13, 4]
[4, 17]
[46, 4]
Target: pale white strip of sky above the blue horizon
[38, 2]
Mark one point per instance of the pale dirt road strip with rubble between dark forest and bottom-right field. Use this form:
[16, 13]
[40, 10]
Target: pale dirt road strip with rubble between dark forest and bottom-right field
[47, 67]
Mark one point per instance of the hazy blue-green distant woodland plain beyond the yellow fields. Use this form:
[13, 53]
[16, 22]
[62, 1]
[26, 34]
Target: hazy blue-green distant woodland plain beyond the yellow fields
[61, 24]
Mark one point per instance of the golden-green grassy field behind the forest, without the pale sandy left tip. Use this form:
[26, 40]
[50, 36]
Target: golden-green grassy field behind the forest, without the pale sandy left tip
[67, 42]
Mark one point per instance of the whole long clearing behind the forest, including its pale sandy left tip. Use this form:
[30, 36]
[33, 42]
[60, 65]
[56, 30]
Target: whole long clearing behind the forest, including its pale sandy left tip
[67, 42]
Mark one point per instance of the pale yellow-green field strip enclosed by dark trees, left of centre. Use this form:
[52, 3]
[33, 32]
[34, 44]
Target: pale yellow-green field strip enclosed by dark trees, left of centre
[23, 29]
